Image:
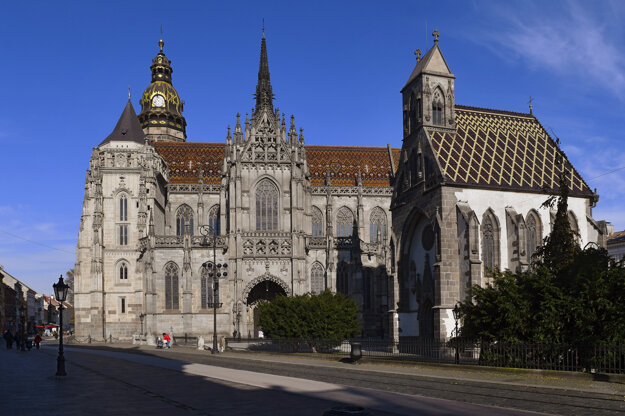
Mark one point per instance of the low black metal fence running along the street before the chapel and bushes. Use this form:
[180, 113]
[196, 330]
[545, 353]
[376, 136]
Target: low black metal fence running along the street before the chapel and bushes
[596, 358]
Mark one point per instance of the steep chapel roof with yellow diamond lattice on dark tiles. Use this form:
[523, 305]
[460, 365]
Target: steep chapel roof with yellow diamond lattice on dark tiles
[502, 149]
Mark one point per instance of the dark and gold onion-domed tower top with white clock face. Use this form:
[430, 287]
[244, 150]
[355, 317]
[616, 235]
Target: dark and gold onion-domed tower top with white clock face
[160, 104]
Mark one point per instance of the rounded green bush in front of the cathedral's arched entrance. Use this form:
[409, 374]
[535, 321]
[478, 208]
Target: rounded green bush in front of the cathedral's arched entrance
[327, 316]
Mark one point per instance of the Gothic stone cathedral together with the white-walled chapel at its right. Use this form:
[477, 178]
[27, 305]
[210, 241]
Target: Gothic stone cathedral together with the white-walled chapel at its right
[171, 229]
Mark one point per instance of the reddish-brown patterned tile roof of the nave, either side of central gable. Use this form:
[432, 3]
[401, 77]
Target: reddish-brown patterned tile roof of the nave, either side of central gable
[342, 162]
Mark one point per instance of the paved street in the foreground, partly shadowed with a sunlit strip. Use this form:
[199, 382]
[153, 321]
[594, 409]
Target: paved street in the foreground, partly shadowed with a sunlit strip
[187, 382]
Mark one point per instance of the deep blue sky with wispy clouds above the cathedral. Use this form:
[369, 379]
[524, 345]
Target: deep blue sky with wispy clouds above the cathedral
[337, 66]
